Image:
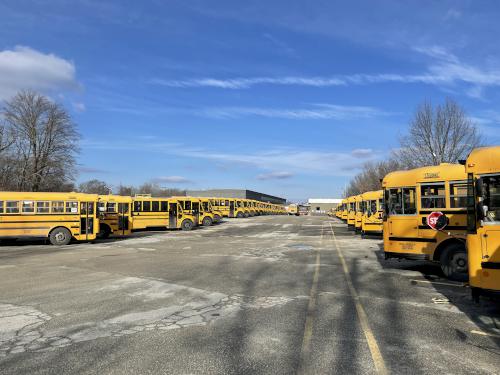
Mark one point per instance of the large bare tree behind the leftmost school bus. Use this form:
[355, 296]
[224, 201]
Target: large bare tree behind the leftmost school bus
[45, 142]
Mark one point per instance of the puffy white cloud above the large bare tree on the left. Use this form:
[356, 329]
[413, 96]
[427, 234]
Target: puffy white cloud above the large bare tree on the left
[26, 68]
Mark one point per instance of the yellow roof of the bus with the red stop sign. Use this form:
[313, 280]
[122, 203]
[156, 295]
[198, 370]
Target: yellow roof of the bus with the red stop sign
[435, 173]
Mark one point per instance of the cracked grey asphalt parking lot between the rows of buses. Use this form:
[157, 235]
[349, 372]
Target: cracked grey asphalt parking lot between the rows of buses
[274, 295]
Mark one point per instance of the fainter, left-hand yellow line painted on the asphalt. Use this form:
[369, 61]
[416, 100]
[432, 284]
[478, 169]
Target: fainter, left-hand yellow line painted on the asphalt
[309, 324]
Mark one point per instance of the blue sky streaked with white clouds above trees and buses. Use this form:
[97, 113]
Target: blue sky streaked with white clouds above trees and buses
[285, 97]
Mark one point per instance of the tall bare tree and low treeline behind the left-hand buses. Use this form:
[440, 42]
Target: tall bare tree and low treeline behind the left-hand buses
[39, 144]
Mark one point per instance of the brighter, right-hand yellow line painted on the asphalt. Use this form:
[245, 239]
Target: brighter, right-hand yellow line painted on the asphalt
[378, 360]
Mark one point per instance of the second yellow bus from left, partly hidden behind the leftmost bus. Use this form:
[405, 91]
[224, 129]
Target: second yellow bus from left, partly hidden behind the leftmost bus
[115, 215]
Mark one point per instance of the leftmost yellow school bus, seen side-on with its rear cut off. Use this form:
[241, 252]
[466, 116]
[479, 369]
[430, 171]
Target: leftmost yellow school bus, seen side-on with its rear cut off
[60, 217]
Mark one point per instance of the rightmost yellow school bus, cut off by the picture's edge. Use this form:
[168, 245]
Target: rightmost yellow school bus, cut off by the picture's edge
[483, 237]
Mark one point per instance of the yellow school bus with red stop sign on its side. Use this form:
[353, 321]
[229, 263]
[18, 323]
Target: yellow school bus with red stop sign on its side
[410, 196]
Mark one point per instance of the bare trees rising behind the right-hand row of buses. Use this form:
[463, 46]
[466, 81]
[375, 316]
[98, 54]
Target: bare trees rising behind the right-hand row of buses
[436, 134]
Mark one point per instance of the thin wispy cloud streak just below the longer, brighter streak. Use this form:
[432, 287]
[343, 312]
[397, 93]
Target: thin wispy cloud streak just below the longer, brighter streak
[315, 112]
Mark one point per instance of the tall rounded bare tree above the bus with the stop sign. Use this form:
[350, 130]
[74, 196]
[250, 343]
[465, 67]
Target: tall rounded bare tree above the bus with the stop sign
[441, 134]
